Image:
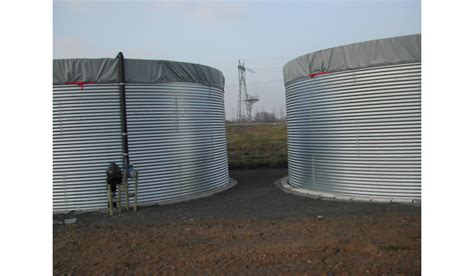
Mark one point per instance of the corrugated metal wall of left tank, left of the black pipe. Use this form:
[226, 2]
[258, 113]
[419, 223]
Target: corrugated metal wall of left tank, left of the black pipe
[86, 137]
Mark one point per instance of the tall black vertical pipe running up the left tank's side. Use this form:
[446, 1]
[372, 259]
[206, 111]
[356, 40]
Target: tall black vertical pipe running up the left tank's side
[123, 111]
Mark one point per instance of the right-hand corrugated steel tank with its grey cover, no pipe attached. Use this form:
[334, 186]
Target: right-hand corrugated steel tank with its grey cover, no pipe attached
[354, 120]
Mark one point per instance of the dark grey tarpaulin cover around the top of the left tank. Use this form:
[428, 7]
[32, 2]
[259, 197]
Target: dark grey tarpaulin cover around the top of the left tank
[106, 70]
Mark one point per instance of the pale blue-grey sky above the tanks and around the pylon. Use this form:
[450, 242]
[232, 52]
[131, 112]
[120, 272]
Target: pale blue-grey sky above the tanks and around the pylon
[264, 34]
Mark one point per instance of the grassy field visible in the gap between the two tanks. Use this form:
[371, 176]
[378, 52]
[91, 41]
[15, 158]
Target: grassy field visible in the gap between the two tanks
[257, 145]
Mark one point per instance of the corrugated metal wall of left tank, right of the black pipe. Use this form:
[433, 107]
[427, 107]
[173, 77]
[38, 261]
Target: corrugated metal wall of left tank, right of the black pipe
[177, 140]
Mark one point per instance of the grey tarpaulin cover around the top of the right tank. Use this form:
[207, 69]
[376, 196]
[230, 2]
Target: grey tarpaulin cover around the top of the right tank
[389, 51]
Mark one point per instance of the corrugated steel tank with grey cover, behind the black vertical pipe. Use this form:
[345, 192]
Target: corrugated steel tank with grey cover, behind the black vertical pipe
[176, 130]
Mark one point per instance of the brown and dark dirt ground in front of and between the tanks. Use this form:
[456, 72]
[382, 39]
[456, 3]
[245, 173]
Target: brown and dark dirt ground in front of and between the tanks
[253, 228]
